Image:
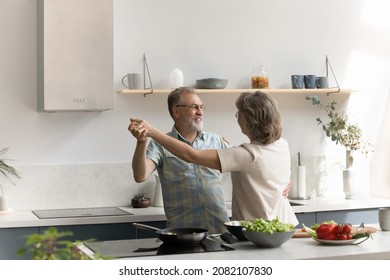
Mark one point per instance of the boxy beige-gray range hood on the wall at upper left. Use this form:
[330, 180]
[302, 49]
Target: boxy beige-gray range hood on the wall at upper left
[75, 55]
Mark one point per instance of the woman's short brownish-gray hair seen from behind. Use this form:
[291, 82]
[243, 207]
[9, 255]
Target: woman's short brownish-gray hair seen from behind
[262, 116]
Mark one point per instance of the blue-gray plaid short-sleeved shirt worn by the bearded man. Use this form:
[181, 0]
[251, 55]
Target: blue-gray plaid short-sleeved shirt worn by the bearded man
[192, 194]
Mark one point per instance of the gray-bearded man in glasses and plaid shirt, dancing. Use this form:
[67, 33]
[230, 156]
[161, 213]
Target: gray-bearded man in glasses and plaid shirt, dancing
[192, 194]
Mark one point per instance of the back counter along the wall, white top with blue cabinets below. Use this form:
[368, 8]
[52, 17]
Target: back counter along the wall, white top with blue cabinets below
[16, 225]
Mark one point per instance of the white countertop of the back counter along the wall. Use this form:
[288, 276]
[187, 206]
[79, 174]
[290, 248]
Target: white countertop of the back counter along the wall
[13, 219]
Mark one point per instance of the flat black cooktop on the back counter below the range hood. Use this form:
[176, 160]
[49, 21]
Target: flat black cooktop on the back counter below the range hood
[79, 212]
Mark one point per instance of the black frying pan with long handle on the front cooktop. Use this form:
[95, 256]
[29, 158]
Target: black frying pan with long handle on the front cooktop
[177, 236]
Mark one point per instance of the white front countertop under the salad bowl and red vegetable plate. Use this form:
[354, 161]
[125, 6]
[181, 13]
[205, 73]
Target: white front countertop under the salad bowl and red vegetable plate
[375, 248]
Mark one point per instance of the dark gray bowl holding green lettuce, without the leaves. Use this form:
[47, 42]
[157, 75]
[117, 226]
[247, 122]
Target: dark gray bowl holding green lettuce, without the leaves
[268, 240]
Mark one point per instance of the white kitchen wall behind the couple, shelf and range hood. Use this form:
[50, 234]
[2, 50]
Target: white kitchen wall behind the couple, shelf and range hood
[219, 38]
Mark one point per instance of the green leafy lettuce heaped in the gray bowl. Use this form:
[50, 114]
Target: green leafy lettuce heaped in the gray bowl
[269, 226]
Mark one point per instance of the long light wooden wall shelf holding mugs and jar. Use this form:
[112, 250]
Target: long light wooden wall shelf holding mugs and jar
[237, 91]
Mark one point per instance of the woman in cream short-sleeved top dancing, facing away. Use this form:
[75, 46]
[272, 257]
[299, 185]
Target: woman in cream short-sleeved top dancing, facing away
[260, 170]
